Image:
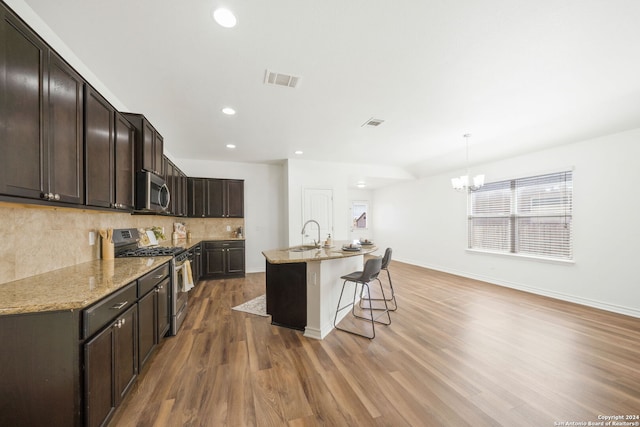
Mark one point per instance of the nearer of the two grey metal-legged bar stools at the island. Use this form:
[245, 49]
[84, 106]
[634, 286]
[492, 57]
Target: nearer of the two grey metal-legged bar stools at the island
[370, 273]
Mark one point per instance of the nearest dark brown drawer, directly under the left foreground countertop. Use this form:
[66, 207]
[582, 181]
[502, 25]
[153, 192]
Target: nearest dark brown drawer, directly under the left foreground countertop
[107, 309]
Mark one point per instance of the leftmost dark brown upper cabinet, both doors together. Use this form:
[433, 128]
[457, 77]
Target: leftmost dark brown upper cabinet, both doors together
[42, 108]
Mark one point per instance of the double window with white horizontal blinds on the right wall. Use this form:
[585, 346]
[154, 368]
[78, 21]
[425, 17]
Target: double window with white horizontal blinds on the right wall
[527, 216]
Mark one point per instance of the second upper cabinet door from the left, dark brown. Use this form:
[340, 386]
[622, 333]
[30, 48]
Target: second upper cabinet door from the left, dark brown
[65, 132]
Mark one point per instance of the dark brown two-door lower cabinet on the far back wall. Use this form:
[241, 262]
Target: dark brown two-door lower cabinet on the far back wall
[223, 258]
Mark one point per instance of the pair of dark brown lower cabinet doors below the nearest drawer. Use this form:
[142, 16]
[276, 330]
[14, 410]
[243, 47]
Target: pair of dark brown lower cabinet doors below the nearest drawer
[111, 367]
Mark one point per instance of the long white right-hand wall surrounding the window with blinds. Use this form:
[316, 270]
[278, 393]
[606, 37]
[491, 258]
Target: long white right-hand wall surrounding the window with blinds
[424, 222]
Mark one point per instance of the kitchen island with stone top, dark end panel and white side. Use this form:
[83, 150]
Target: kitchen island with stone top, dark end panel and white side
[303, 285]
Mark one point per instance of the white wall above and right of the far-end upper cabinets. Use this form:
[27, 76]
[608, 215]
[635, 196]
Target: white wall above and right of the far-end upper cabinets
[264, 214]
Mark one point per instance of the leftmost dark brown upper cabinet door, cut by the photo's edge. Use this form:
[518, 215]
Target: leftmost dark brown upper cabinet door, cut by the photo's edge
[23, 68]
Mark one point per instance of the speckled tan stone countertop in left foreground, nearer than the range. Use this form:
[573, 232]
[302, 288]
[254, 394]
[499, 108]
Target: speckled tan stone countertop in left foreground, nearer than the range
[75, 287]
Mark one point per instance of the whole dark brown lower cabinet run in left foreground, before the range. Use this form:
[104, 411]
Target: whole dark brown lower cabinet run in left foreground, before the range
[73, 368]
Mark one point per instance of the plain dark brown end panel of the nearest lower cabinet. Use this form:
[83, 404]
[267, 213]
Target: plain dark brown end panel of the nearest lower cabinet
[40, 369]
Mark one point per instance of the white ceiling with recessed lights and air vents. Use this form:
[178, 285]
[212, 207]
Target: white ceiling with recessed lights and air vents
[519, 75]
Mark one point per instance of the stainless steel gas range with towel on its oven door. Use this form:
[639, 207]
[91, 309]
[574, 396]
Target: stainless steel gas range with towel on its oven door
[126, 244]
